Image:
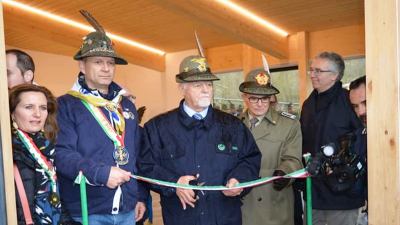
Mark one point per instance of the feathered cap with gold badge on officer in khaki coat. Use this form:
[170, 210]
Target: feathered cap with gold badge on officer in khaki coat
[258, 81]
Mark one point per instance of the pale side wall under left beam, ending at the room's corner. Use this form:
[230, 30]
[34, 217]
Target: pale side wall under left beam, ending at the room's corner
[58, 73]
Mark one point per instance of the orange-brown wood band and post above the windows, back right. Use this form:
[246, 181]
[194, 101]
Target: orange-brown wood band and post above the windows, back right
[348, 41]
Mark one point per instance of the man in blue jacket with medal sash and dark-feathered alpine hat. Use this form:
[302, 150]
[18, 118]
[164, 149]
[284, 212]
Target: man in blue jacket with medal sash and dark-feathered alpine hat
[99, 136]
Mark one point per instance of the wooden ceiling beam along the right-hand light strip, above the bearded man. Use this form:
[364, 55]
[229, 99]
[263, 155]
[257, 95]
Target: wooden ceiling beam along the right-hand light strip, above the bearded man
[223, 20]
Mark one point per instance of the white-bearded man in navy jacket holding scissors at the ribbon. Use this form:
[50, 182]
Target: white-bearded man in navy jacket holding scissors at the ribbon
[197, 144]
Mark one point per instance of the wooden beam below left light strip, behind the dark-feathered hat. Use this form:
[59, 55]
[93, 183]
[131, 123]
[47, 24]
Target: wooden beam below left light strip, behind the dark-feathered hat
[62, 39]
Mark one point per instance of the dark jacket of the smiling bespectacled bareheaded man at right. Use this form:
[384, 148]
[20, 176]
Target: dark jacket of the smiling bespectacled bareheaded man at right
[324, 118]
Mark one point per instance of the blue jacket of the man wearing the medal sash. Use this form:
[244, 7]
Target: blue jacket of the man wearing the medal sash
[83, 145]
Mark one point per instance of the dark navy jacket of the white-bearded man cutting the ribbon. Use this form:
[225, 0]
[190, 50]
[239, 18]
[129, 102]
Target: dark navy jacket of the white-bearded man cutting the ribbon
[218, 148]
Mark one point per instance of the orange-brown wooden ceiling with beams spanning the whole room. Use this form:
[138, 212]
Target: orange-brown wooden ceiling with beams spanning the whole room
[169, 24]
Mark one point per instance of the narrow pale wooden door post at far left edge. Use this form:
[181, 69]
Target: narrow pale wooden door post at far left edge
[5, 133]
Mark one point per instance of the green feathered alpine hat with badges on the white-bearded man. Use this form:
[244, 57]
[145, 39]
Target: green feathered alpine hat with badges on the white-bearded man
[195, 67]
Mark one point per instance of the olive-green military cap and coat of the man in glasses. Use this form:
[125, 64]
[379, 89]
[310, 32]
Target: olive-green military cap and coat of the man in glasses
[278, 136]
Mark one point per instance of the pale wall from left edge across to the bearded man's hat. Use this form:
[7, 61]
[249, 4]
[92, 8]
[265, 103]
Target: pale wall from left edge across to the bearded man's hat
[156, 90]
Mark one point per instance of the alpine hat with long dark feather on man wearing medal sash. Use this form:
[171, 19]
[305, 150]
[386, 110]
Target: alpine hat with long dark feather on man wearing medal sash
[97, 43]
